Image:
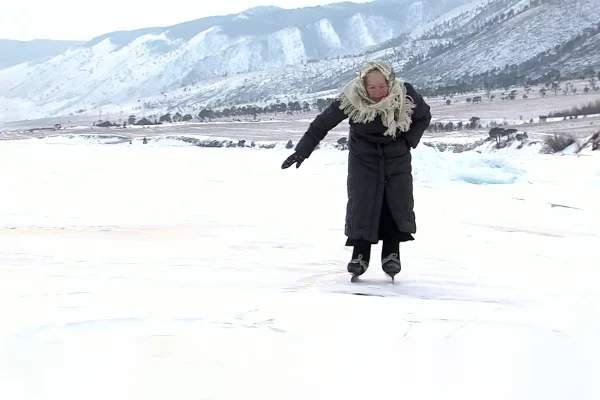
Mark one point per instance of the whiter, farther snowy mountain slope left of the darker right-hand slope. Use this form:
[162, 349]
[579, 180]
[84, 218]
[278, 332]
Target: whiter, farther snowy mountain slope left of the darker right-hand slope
[124, 66]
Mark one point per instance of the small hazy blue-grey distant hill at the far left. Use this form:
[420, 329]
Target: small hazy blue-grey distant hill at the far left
[14, 52]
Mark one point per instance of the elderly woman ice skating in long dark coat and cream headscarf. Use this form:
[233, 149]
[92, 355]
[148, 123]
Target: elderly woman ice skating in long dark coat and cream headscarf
[387, 118]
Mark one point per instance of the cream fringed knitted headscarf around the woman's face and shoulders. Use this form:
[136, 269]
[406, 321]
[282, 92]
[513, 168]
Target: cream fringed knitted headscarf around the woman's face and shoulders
[395, 109]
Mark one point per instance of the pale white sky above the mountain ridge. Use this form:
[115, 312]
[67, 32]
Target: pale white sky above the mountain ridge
[83, 20]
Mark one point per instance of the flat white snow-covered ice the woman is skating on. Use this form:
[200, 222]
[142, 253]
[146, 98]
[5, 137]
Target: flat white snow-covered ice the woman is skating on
[150, 272]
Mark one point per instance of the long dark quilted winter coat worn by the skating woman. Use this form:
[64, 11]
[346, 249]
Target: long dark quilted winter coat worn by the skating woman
[375, 163]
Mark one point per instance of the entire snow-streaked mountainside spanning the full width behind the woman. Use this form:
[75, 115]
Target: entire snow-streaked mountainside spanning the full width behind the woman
[267, 54]
